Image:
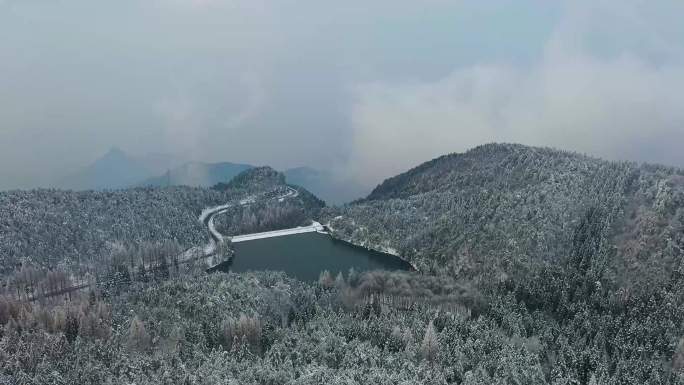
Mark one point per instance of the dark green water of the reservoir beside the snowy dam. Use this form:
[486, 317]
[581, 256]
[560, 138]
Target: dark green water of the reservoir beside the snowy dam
[304, 256]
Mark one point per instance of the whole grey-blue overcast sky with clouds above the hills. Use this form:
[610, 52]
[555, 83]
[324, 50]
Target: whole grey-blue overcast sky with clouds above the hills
[363, 88]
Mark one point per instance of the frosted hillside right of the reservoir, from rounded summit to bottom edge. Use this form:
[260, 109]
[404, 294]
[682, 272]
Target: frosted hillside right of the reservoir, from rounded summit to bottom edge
[587, 253]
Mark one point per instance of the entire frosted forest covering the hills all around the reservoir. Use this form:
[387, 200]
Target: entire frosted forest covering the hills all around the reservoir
[536, 267]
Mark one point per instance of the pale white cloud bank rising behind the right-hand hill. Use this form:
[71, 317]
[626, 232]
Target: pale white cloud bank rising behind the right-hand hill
[625, 105]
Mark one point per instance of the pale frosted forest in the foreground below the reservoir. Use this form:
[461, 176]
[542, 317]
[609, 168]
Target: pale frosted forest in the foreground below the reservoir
[261, 328]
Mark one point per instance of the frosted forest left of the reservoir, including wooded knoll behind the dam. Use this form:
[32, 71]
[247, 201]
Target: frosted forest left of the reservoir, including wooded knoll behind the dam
[54, 239]
